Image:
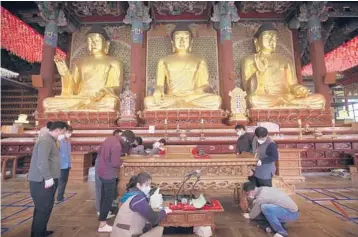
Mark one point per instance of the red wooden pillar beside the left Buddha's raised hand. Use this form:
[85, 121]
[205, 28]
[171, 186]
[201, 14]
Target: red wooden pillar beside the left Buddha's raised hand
[47, 70]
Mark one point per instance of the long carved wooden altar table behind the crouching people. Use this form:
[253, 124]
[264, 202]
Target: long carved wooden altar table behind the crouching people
[218, 172]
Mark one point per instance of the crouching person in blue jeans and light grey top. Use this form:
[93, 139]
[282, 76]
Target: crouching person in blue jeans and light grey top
[276, 206]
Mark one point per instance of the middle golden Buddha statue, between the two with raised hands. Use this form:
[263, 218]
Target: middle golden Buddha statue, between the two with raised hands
[182, 79]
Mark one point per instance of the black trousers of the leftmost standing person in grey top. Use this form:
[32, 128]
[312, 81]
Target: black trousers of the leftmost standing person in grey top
[43, 199]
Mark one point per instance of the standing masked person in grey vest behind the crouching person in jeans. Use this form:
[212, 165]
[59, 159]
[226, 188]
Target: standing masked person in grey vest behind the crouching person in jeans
[265, 150]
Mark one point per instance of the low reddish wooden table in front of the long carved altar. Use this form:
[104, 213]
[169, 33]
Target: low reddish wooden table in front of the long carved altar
[180, 218]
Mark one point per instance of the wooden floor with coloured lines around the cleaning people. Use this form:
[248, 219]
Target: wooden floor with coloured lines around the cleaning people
[328, 208]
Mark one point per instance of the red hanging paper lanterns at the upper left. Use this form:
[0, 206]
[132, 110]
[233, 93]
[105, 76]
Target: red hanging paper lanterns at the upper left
[22, 40]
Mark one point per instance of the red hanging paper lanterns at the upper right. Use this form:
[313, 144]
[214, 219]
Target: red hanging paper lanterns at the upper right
[339, 59]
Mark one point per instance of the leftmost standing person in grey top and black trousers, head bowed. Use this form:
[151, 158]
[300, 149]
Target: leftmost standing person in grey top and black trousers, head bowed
[45, 169]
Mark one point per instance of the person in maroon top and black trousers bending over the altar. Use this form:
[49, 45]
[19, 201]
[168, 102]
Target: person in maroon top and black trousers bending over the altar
[109, 162]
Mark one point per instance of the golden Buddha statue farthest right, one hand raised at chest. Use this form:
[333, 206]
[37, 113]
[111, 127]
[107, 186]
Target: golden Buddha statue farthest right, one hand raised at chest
[270, 78]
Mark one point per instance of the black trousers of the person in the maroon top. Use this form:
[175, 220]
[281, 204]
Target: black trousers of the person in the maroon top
[108, 188]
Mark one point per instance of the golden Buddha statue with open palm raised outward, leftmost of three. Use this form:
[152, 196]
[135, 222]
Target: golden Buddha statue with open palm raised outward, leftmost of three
[94, 82]
